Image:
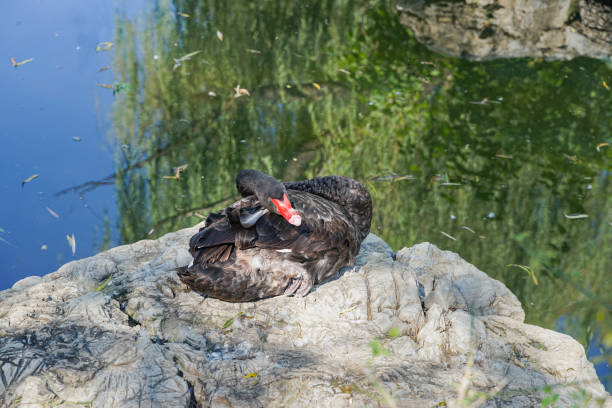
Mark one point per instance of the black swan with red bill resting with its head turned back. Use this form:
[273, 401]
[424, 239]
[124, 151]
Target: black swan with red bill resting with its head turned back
[280, 238]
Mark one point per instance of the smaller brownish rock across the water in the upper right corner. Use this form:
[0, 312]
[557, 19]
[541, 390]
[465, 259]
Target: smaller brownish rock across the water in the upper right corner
[489, 29]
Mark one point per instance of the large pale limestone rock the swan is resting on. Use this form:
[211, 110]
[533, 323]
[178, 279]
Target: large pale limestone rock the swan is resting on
[145, 340]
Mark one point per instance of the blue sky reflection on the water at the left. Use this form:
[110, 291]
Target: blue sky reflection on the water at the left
[44, 104]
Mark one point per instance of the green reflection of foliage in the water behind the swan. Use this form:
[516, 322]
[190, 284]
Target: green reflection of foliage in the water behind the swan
[495, 153]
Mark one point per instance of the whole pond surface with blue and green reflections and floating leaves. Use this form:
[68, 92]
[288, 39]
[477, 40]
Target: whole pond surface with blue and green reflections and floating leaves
[505, 162]
